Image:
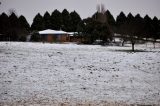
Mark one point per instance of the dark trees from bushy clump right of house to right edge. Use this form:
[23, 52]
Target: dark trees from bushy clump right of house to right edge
[131, 28]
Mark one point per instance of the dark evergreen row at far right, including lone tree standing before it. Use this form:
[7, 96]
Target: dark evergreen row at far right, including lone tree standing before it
[135, 28]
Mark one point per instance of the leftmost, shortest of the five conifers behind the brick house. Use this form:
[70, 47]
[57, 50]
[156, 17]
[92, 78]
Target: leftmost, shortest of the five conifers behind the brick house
[38, 23]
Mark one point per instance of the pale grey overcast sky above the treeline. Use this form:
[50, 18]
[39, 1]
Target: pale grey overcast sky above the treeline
[86, 8]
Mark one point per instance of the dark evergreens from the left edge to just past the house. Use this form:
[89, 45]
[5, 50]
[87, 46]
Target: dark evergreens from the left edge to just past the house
[14, 28]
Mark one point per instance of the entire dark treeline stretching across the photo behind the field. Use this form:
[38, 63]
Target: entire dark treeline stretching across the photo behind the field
[101, 26]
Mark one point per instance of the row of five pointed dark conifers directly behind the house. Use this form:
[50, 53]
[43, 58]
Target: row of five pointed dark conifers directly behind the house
[58, 21]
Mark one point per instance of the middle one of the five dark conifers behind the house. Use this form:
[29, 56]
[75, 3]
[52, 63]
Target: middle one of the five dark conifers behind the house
[56, 20]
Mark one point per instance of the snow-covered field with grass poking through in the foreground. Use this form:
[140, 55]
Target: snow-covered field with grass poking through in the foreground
[70, 74]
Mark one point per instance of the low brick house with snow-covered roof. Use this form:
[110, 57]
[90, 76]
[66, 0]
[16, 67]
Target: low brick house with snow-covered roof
[54, 36]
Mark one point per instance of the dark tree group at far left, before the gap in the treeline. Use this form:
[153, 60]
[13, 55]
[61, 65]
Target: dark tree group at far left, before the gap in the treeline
[13, 28]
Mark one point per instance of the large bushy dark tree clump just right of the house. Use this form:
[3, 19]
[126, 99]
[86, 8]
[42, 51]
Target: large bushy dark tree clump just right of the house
[98, 28]
